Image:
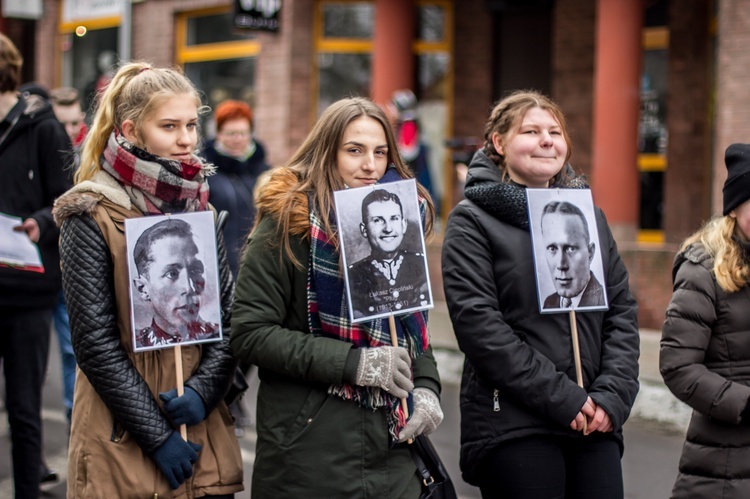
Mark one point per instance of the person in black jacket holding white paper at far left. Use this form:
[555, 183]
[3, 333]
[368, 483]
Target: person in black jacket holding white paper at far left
[33, 172]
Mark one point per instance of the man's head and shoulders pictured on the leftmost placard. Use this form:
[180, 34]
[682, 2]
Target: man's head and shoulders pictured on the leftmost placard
[171, 278]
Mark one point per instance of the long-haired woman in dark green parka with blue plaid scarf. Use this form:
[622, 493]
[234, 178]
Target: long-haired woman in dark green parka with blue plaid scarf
[329, 422]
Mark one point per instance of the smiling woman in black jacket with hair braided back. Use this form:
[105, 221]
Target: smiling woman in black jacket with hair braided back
[522, 412]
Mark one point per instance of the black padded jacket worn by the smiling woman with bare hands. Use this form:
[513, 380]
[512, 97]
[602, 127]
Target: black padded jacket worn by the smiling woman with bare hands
[519, 375]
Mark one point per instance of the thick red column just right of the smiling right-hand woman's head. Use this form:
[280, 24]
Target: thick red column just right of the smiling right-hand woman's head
[614, 171]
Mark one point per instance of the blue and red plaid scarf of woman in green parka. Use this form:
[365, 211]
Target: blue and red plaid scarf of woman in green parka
[327, 310]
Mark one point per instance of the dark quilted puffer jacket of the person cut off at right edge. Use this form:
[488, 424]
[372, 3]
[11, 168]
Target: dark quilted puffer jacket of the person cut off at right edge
[705, 362]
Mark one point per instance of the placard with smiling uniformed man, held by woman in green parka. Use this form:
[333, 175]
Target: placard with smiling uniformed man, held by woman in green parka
[382, 243]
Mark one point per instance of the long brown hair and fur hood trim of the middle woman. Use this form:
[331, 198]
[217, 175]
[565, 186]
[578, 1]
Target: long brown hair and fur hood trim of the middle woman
[312, 172]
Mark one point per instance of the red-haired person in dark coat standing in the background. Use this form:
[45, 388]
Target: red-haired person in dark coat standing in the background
[239, 161]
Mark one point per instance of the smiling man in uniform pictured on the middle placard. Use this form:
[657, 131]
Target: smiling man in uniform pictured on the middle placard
[392, 278]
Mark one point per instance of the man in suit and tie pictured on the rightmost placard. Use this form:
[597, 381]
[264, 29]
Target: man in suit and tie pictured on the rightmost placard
[569, 252]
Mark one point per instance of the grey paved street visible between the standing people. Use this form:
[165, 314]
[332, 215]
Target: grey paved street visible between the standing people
[650, 461]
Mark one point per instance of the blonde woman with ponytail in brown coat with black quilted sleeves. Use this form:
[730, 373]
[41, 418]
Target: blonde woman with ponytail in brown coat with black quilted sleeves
[138, 160]
